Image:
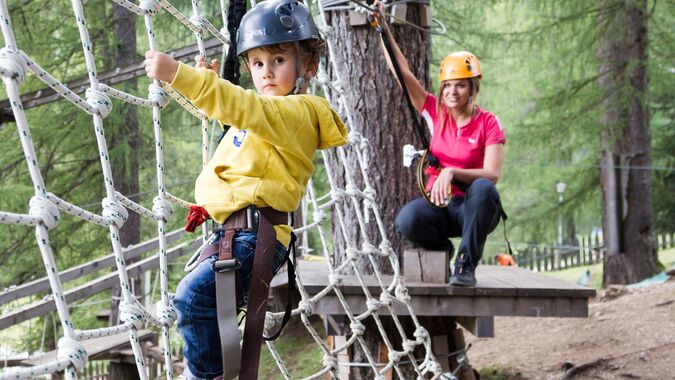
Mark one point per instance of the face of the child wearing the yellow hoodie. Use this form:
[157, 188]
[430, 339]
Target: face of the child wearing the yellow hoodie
[273, 72]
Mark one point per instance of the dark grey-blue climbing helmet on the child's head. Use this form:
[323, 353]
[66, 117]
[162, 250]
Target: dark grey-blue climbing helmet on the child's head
[274, 22]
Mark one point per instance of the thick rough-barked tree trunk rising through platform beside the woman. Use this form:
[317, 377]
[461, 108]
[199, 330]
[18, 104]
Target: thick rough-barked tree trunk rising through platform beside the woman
[380, 114]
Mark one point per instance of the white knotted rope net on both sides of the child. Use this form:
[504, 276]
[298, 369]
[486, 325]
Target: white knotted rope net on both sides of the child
[45, 211]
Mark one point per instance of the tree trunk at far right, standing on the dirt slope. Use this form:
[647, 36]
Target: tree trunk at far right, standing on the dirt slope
[630, 253]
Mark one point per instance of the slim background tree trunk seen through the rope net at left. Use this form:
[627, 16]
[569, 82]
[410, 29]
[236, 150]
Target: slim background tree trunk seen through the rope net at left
[124, 133]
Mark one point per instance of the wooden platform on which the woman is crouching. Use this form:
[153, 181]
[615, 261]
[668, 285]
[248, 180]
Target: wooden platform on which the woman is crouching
[500, 291]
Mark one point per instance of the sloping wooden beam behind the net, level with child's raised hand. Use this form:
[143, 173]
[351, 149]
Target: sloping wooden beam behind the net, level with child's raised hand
[47, 94]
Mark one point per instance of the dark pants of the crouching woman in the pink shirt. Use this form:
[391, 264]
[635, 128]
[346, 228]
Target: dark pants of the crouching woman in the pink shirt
[472, 217]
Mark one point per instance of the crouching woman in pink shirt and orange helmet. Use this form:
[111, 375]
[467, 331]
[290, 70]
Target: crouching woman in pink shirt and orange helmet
[469, 144]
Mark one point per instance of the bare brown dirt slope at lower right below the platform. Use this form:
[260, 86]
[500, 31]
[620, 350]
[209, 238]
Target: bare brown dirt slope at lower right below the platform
[629, 334]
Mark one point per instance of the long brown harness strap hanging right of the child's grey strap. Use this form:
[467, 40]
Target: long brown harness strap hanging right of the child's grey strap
[258, 293]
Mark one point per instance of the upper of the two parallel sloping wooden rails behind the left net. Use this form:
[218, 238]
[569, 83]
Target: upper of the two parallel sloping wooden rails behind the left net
[130, 253]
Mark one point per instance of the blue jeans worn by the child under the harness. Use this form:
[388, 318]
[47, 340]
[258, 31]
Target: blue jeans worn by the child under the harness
[195, 302]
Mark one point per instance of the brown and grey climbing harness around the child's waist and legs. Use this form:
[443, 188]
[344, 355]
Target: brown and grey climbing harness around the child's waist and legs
[243, 361]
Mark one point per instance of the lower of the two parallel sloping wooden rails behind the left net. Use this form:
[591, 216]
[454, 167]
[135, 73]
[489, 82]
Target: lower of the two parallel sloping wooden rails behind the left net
[102, 283]
